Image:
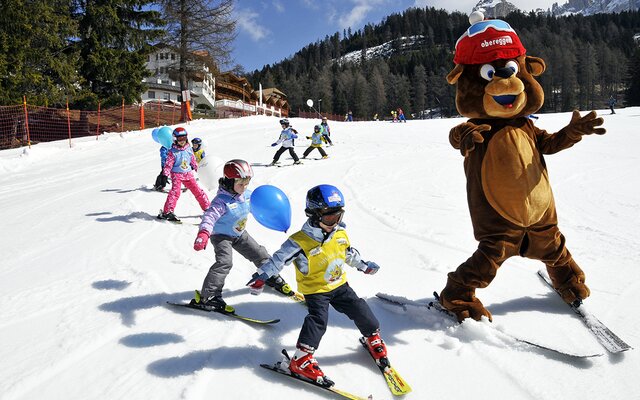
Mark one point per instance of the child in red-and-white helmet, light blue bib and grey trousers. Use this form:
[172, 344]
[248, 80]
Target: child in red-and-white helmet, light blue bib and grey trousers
[224, 224]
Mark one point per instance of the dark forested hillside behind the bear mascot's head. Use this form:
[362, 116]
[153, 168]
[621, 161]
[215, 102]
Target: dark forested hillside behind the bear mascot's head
[588, 60]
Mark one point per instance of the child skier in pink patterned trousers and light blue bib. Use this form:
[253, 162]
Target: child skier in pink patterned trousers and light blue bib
[180, 163]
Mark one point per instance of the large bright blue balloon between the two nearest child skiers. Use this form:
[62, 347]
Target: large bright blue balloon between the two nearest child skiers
[271, 208]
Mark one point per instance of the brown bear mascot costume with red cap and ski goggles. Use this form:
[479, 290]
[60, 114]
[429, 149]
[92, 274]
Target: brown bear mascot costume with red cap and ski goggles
[508, 191]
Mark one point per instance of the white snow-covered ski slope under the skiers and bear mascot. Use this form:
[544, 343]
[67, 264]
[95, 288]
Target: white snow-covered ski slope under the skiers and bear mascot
[86, 270]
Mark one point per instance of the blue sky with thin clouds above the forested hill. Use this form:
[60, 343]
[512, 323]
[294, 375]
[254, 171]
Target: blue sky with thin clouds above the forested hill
[272, 30]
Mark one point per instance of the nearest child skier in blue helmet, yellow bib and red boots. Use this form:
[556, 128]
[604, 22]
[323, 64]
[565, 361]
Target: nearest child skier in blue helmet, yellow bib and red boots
[320, 251]
